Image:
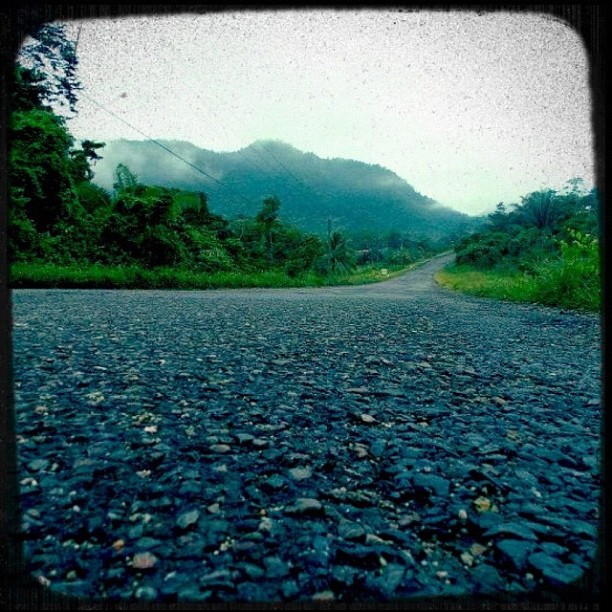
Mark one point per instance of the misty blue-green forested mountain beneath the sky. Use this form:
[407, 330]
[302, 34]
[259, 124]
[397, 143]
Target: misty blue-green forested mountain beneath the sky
[356, 196]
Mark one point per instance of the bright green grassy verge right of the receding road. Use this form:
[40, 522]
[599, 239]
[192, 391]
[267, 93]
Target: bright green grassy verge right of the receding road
[555, 283]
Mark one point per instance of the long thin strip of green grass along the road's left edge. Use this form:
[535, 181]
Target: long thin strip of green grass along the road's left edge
[44, 275]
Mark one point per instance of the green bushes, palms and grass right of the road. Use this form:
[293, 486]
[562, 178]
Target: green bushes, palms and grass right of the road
[544, 250]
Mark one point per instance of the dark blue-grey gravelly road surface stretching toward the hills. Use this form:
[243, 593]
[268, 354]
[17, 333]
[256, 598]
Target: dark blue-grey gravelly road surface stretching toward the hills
[345, 444]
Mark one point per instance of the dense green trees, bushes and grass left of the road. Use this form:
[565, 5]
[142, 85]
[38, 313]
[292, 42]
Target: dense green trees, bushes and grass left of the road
[66, 231]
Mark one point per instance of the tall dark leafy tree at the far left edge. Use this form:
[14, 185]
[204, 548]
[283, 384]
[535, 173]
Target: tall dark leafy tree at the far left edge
[42, 169]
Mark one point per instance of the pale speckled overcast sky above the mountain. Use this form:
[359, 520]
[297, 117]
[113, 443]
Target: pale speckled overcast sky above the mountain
[470, 109]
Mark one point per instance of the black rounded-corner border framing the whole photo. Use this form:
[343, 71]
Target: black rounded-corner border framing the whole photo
[19, 591]
